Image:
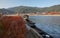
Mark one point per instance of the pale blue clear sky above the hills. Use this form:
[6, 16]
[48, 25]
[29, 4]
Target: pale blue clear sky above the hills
[32, 3]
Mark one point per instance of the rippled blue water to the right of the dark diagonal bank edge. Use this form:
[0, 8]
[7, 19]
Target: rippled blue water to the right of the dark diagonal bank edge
[50, 24]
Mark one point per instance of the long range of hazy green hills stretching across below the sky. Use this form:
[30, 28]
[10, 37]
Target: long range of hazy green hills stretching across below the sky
[27, 9]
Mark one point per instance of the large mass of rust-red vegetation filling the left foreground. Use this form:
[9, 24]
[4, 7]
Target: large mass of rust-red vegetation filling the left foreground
[14, 27]
